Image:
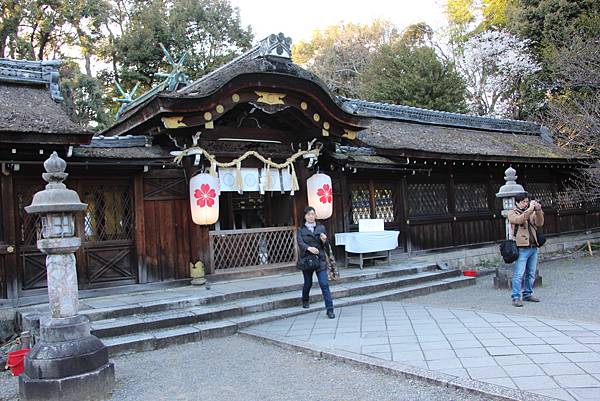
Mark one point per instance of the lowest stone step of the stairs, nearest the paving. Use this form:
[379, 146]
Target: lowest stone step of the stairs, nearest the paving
[161, 338]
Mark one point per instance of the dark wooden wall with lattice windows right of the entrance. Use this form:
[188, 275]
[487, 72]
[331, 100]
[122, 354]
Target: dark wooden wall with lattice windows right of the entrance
[450, 207]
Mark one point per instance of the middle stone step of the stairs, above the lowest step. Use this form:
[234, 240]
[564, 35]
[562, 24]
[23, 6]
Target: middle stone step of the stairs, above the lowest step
[197, 314]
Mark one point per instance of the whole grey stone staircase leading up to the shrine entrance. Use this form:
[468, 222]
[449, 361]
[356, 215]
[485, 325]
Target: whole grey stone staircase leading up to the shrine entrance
[147, 321]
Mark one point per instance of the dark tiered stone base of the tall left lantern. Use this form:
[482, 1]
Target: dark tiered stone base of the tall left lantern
[68, 363]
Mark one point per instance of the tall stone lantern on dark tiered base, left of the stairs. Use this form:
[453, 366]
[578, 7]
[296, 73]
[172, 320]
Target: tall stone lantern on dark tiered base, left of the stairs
[67, 362]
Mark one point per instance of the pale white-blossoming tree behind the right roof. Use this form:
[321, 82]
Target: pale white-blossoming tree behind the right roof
[494, 65]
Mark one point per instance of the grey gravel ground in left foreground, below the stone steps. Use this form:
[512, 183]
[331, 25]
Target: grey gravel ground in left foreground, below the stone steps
[236, 368]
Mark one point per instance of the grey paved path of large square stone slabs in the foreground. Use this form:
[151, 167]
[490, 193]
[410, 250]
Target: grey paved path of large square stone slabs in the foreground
[556, 358]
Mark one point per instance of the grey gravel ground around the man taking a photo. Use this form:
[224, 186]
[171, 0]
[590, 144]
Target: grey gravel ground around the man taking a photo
[570, 290]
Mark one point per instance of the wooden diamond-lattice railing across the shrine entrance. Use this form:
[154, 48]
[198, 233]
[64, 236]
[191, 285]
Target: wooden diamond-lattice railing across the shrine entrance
[252, 248]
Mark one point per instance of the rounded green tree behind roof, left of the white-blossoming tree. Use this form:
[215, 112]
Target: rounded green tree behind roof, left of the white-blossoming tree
[411, 74]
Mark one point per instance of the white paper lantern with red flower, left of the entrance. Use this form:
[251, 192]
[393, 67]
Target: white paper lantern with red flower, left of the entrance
[204, 199]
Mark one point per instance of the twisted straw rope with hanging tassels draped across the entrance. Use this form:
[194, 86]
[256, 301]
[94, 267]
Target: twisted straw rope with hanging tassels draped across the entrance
[289, 163]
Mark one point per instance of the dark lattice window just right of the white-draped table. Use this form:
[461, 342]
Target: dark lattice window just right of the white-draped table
[427, 199]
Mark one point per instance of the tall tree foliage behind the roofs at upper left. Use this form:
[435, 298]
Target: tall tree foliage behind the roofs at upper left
[124, 35]
